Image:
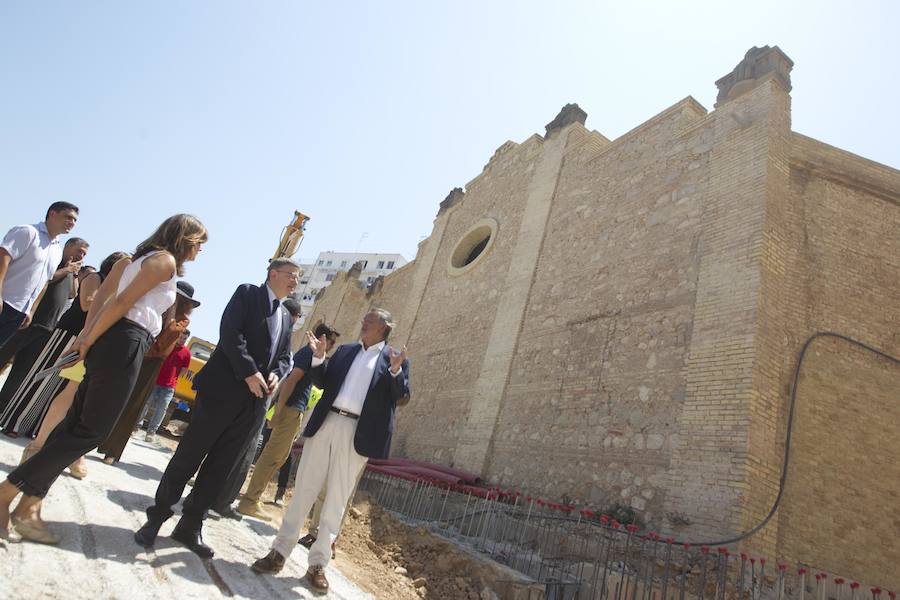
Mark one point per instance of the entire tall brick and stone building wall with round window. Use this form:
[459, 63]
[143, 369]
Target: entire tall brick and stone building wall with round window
[630, 335]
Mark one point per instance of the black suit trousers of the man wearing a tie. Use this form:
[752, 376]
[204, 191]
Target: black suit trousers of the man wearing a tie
[217, 436]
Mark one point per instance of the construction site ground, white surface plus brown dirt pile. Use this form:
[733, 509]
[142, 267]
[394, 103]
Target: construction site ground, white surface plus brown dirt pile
[377, 556]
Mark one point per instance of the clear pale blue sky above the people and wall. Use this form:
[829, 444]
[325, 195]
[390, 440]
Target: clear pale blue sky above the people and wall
[364, 115]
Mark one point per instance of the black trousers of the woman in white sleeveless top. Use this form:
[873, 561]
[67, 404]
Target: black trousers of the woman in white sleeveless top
[111, 368]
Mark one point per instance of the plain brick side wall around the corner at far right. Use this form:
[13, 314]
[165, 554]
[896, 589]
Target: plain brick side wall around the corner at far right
[843, 276]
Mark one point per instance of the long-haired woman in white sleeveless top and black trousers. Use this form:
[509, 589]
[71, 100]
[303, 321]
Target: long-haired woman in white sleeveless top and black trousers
[112, 346]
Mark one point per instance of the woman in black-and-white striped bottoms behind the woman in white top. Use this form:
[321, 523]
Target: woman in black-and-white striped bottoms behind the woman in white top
[29, 403]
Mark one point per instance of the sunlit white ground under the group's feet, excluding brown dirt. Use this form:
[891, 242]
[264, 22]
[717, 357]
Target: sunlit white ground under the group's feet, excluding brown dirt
[98, 558]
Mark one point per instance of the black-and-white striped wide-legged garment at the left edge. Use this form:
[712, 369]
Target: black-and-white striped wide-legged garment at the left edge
[28, 405]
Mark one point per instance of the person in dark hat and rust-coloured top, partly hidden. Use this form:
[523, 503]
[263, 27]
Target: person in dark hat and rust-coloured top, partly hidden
[176, 323]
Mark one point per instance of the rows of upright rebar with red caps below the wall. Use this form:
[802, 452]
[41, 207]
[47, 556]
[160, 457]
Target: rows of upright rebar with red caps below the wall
[580, 555]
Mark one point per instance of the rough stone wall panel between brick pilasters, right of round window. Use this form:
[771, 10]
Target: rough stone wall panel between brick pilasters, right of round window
[596, 385]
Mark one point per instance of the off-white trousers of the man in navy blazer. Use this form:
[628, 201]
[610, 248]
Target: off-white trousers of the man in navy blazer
[328, 455]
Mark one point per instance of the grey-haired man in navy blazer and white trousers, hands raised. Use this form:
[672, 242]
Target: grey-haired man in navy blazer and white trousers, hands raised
[353, 421]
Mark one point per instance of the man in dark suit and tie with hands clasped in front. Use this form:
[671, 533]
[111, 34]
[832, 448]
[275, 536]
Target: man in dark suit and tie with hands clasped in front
[253, 353]
